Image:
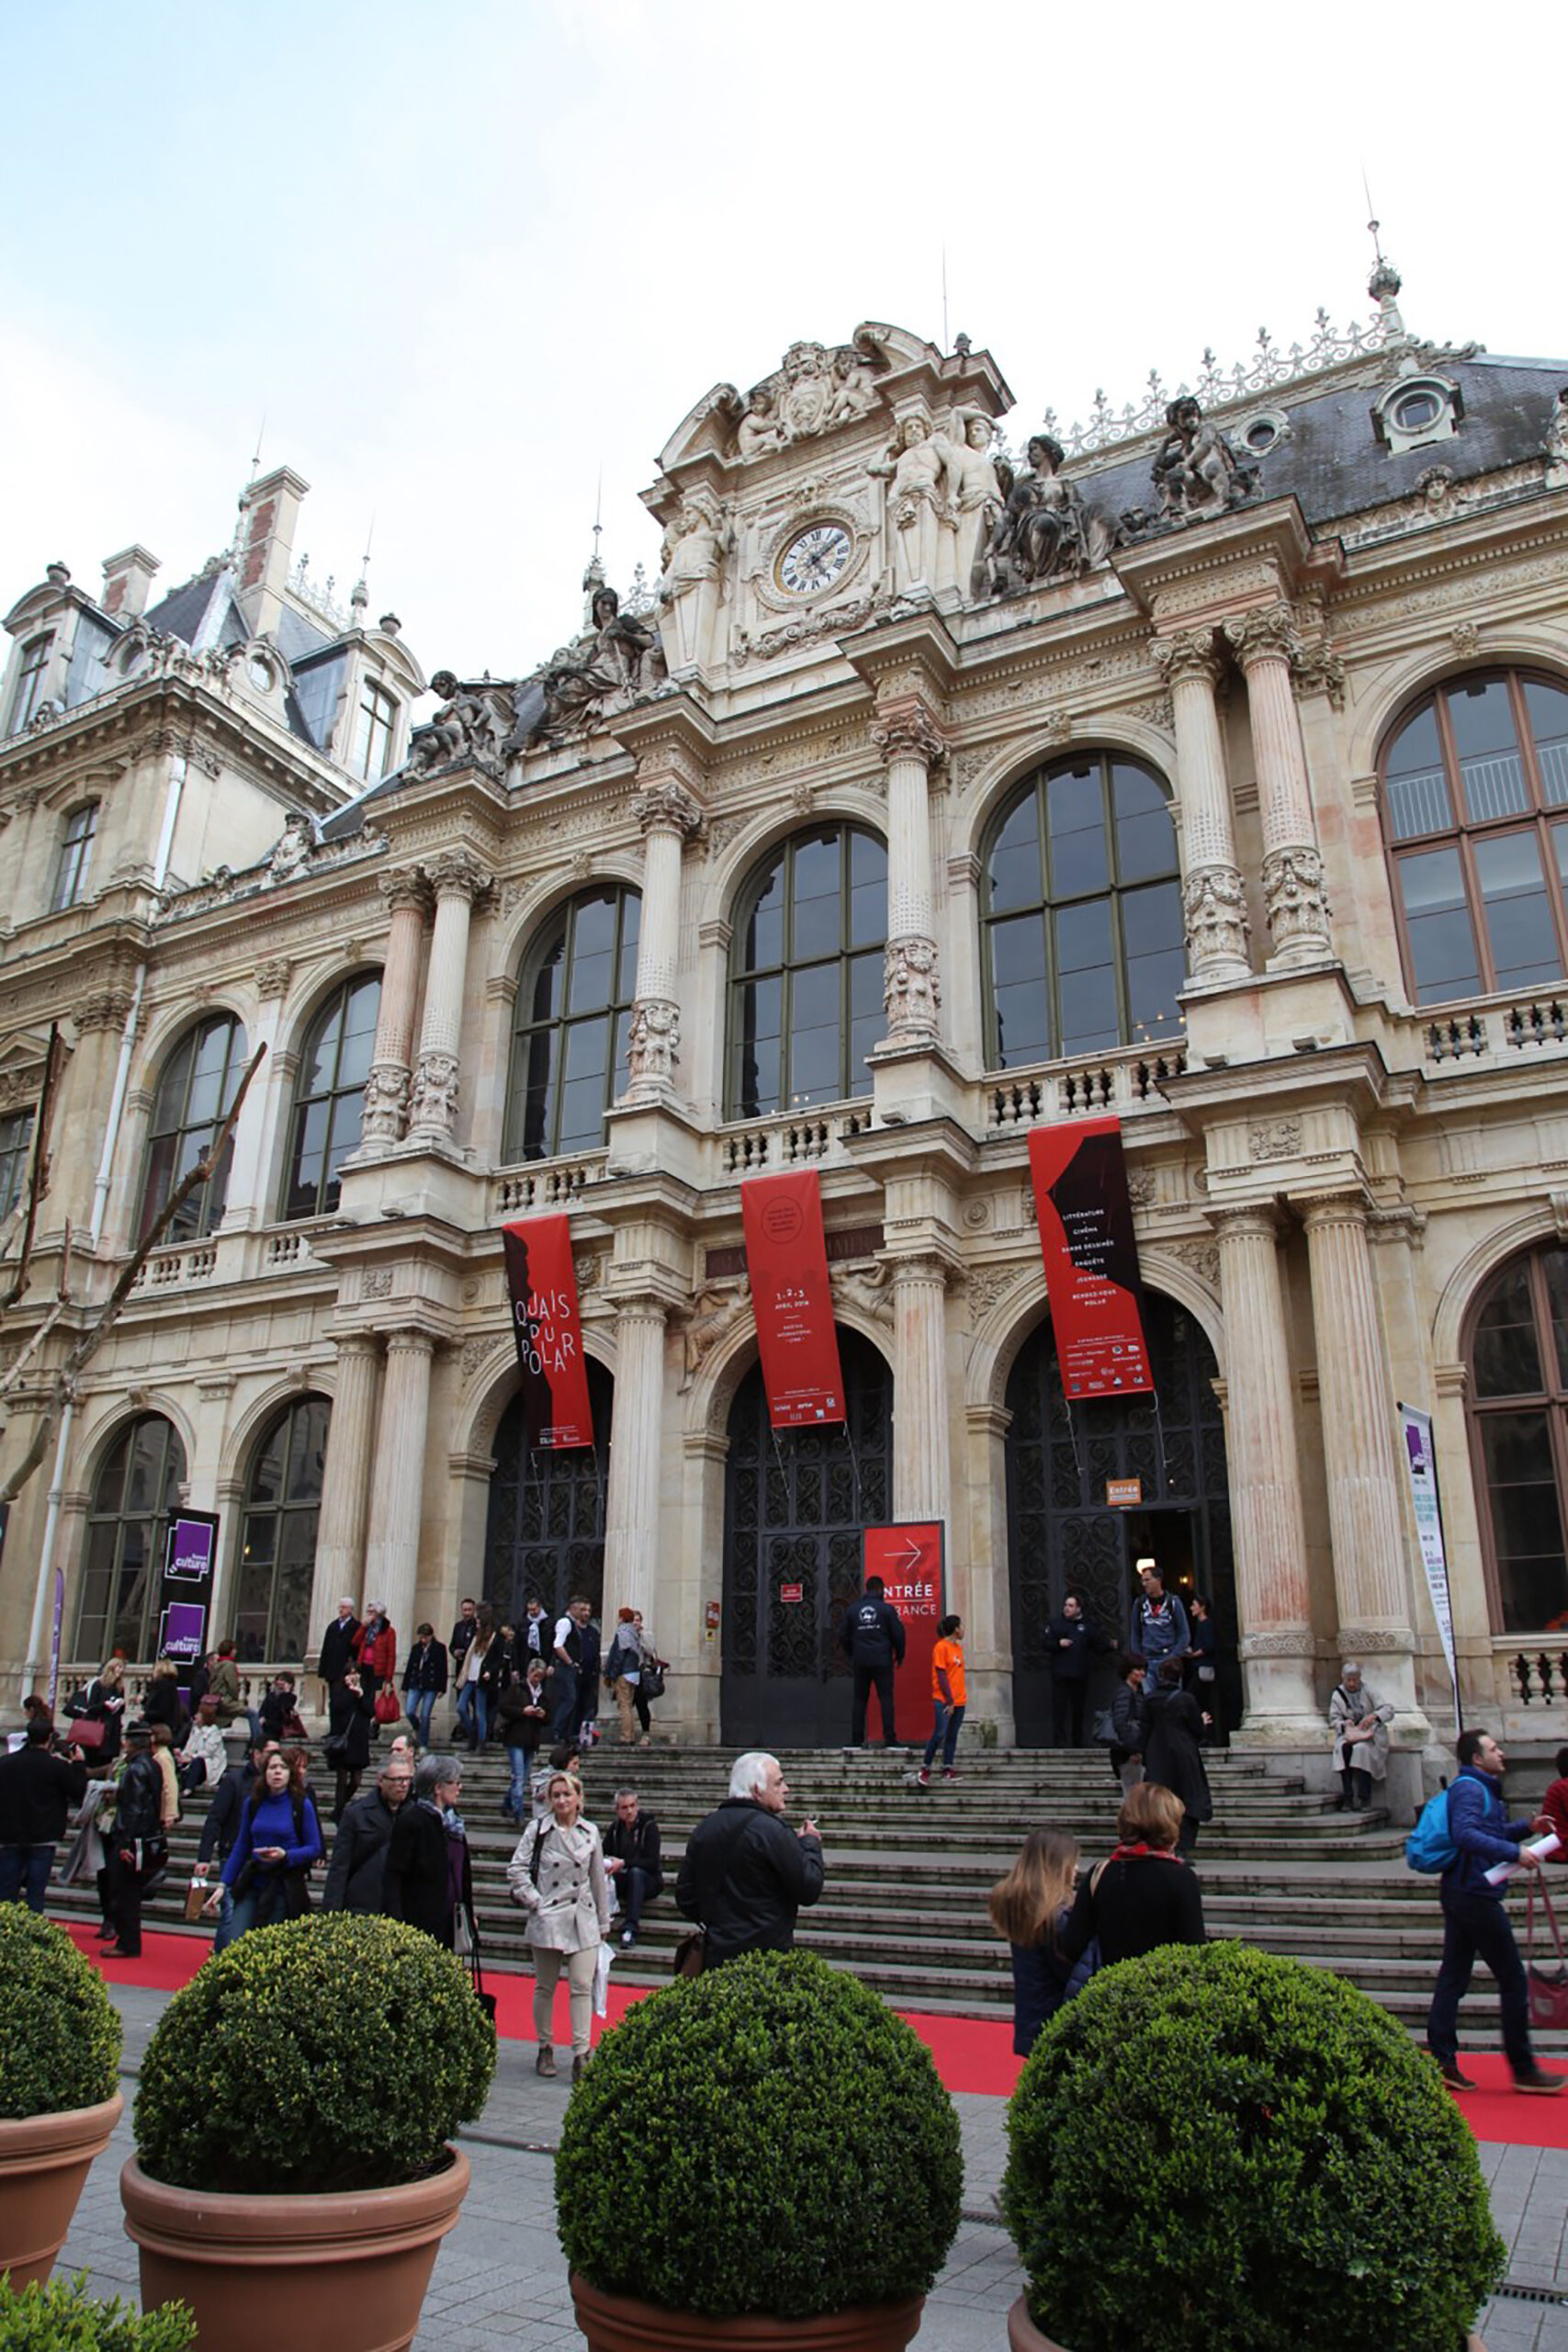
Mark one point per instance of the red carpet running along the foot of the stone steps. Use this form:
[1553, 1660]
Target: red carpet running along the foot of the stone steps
[972, 2054]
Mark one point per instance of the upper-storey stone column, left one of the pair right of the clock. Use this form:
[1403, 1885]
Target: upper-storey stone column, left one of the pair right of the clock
[1214, 897]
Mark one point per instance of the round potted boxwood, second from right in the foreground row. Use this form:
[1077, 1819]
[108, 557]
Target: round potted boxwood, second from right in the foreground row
[763, 2156]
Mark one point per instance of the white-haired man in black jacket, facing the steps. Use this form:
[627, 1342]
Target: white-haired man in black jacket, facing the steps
[744, 1873]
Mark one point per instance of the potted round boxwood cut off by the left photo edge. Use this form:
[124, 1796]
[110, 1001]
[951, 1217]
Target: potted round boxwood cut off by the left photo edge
[60, 2102]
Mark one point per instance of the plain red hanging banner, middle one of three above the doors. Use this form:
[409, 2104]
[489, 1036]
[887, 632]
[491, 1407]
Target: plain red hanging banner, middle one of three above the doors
[786, 1257]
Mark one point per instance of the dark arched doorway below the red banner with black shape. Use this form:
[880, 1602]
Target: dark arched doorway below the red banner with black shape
[1064, 1535]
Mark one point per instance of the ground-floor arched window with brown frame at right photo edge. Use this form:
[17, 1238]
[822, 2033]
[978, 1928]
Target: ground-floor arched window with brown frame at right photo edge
[1520, 1438]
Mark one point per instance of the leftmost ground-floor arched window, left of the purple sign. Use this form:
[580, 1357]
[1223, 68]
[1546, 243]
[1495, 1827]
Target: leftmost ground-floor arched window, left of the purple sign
[133, 1499]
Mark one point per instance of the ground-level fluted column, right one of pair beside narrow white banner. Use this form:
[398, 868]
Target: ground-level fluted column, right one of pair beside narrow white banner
[1360, 1459]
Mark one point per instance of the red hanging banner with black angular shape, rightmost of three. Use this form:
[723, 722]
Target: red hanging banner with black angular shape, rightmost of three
[1092, 1257]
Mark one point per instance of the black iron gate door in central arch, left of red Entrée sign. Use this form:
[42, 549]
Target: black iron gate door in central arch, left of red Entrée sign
[796, 1504]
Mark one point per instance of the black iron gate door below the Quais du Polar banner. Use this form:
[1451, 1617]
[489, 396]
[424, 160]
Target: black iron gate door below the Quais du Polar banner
[547, 1514]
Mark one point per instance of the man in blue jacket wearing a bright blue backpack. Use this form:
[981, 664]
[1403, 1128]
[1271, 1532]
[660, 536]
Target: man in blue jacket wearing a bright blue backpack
[1475, 1920]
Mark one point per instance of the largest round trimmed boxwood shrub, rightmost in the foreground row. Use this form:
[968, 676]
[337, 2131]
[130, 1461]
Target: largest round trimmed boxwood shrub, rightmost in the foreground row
[1242, 2151]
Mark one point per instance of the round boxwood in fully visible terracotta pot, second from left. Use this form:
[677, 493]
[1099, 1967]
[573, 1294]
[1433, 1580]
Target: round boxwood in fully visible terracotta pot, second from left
[293, 2170]
